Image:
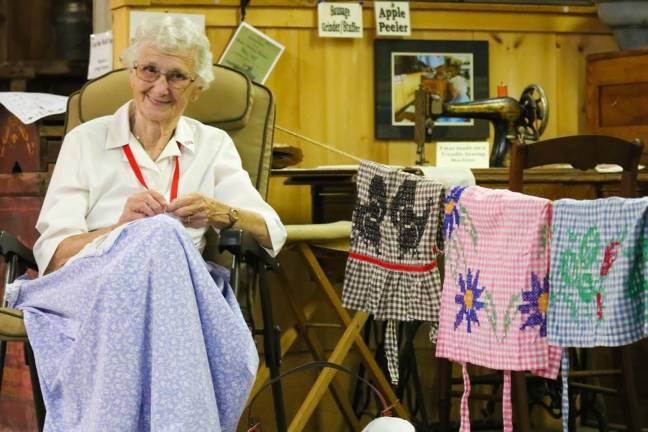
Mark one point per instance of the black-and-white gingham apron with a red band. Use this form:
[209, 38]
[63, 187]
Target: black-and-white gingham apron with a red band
[392, 270]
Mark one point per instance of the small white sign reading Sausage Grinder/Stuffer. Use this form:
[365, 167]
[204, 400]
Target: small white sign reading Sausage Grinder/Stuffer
[342, 20]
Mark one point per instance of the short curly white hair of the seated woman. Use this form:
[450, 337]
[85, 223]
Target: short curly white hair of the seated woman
[174, 35]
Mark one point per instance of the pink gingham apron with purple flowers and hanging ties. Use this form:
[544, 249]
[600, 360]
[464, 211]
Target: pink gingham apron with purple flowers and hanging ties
[495, 290]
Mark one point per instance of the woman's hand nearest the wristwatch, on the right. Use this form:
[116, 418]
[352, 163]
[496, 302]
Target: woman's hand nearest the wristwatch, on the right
[197, 211]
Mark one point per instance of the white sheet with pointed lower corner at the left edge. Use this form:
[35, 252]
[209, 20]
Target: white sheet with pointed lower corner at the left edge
[29, 107]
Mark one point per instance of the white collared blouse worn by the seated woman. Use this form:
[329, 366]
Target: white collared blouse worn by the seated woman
[92, 179]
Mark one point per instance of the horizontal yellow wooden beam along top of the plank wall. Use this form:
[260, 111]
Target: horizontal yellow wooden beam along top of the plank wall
[425, 16]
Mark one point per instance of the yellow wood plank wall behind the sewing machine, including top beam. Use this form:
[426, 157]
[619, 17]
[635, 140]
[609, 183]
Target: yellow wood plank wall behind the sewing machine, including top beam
[324, 87]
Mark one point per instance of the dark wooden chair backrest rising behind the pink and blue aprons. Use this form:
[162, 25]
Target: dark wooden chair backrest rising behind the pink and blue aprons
[582, 152]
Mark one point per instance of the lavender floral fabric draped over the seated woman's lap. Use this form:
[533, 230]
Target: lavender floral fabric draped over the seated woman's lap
[145, 337]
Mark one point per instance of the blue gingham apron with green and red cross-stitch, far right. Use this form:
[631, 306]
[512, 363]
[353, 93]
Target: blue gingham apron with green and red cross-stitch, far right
[599, 265]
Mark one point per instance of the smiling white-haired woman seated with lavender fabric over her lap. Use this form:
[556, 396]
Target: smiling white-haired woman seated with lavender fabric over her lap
[131, 329]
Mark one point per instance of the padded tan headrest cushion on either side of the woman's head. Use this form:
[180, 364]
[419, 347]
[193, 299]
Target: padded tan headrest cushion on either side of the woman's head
[226, 103]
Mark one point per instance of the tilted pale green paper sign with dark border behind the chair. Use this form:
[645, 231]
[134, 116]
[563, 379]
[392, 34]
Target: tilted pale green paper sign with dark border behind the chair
[252, 52]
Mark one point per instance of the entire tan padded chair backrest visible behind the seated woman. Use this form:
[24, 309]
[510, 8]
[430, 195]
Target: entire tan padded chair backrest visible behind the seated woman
[232, 102]
